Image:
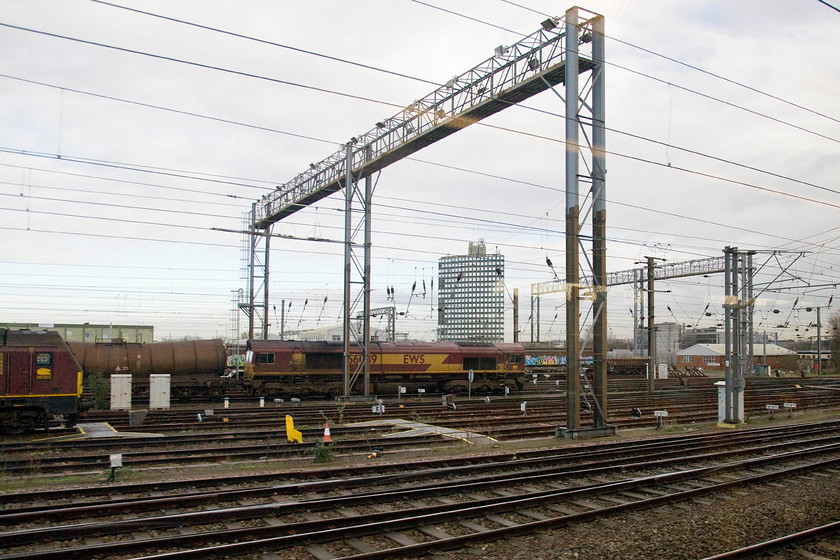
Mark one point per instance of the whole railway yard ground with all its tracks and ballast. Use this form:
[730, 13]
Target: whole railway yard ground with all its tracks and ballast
[423, 480]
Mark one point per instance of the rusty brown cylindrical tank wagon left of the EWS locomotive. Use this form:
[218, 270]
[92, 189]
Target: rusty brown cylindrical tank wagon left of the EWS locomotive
[189, 357]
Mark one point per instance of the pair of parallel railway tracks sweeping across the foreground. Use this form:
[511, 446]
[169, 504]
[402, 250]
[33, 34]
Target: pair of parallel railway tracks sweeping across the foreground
[413, 509]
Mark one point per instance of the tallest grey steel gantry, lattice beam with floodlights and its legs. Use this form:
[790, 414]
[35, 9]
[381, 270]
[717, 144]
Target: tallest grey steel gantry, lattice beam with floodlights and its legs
[554, 54]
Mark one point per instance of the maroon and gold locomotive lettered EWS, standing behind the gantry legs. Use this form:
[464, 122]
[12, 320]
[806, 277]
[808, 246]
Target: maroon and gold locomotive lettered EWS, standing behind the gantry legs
[289, 368]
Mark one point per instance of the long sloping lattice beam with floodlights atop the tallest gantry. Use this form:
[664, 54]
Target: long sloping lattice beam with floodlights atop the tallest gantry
[513, 74]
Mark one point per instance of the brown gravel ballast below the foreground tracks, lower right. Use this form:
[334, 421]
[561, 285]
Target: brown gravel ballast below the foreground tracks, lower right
[690, 530]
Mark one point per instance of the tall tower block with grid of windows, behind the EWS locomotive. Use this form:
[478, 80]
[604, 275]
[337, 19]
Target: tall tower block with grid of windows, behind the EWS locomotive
[471, 296]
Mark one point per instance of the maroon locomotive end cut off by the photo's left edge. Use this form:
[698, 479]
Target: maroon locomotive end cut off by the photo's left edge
[39, 378]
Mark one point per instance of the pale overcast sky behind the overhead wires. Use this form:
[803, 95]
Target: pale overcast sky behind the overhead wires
[125, 138]
